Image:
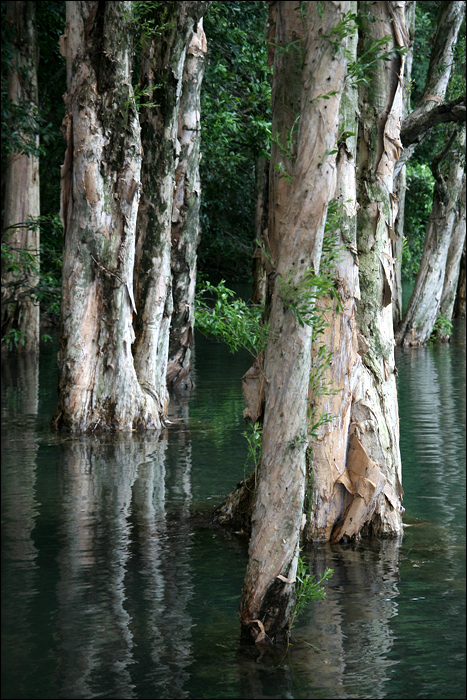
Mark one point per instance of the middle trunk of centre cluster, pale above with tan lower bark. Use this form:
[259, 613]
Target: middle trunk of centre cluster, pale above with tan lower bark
[328, 452]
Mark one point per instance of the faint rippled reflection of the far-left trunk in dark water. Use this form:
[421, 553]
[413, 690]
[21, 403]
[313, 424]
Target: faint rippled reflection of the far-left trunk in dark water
[20, 383]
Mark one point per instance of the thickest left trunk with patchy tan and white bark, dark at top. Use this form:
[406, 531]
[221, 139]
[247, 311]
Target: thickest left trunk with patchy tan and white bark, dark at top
[98, 385]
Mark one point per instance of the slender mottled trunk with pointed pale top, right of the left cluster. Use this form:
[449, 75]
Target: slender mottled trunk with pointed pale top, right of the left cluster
[185, 214]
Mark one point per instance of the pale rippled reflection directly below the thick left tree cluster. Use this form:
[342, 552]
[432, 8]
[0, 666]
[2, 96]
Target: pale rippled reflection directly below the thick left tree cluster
[114, 495]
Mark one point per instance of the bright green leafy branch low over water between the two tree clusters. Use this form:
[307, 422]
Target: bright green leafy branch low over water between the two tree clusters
[220, 314]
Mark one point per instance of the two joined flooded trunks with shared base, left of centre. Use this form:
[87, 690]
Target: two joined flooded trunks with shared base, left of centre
[113, 243]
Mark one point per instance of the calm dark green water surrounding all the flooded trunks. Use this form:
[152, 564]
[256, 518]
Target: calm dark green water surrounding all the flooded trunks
[110, 590]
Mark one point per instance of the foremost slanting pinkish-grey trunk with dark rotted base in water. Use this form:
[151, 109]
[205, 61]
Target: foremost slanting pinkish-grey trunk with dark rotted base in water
[278, 509]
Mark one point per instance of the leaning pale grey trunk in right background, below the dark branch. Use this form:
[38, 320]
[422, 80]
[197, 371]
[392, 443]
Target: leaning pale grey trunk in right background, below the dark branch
[423, 308]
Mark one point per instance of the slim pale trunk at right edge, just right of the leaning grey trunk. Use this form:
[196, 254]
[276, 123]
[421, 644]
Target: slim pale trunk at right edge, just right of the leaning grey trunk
[453, 262]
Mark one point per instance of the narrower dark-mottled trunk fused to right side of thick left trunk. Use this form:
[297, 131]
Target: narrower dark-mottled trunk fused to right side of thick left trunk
[161, 84]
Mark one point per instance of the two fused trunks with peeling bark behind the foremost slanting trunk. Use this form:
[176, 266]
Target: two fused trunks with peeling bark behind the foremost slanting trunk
[355, 460]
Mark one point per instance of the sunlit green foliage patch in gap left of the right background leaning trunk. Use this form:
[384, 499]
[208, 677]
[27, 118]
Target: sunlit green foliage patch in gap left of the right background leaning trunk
[418, 202]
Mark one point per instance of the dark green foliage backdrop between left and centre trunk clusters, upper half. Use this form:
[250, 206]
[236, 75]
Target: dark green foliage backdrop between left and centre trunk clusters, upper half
[236, 126]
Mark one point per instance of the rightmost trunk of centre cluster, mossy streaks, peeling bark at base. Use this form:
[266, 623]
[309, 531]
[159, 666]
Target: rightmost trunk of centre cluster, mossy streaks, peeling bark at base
[372, 480]
